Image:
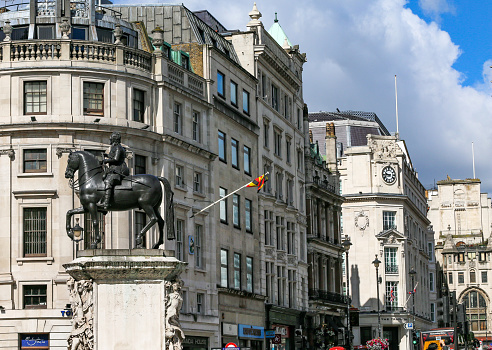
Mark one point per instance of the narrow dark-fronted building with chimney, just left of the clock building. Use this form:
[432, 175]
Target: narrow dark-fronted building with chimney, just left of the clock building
[328, 302]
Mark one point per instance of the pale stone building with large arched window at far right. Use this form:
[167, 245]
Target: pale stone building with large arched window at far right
[461, 216]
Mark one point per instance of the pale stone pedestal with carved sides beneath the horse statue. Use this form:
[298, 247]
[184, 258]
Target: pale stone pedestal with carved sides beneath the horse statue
[125, 299]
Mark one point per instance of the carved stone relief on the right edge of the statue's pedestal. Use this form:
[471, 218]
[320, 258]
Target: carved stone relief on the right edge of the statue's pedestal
[174, 301]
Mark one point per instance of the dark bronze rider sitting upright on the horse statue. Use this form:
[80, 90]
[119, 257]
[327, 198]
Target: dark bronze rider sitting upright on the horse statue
[117, 167]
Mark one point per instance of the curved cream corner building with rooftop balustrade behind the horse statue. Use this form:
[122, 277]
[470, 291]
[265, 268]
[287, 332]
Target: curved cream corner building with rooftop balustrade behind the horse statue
[69, 93]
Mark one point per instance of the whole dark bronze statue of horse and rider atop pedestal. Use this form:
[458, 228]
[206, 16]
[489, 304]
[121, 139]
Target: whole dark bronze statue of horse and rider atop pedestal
[107, 186]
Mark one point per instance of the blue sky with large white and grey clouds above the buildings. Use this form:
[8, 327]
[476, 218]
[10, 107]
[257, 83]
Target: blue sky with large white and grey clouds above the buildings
[439, 49]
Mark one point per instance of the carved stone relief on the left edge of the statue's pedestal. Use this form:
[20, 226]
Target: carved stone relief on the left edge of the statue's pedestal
[82, 333]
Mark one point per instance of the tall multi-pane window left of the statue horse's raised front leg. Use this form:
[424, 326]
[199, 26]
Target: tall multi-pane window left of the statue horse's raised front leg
[35, 232]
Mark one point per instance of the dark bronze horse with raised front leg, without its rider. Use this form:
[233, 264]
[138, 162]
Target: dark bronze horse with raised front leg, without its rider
[136, 192]
